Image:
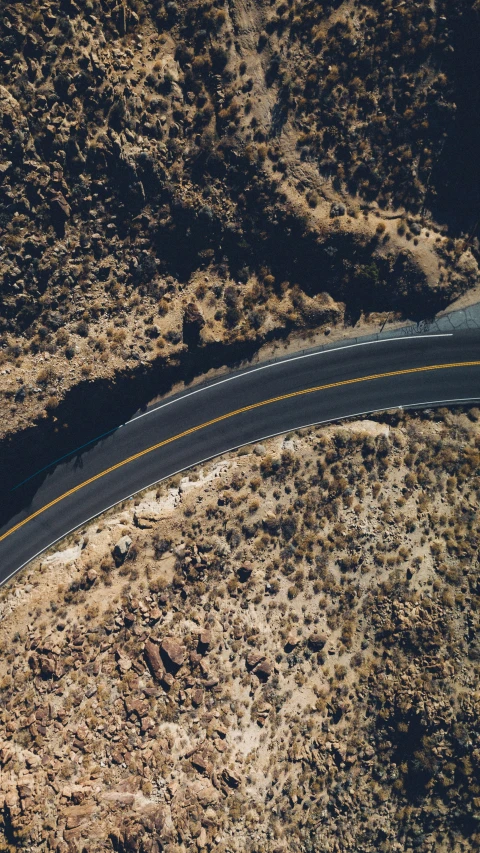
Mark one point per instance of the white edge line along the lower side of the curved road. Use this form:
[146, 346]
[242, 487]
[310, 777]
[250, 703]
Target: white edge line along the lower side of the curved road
[229, 450]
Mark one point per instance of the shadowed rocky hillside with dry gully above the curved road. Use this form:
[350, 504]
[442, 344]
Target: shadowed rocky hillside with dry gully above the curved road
[177, 175]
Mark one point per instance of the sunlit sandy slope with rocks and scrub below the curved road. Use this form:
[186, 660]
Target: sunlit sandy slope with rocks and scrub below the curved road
[278, 652]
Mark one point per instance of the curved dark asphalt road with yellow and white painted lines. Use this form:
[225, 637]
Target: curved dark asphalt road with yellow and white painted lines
[244, 407]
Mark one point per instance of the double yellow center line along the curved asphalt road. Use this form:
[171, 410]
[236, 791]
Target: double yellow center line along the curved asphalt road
[217, 420]
